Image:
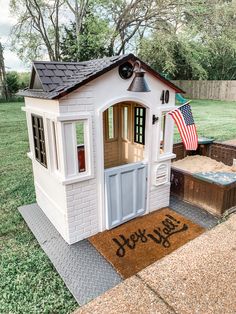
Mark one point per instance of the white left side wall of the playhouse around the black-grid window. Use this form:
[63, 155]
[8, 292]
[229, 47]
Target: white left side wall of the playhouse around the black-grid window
[50, 193]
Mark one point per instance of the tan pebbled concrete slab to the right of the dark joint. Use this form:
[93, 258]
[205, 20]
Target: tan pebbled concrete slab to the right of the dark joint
[200, 277]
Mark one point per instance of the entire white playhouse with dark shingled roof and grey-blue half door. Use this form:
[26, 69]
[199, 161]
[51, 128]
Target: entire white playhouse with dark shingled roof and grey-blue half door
[100, 142]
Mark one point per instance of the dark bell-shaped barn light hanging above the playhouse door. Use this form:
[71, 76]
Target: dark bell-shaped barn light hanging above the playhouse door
[139, 83]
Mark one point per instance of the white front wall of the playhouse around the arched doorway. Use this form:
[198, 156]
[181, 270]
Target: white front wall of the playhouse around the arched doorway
[85, 202]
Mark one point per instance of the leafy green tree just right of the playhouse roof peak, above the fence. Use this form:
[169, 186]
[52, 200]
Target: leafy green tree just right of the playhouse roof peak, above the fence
[173, 55]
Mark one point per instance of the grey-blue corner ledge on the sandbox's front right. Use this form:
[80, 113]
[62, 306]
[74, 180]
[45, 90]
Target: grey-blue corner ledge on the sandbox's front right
[220, 178]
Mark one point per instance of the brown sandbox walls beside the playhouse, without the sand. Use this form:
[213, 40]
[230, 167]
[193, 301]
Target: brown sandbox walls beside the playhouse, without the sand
[212, 196]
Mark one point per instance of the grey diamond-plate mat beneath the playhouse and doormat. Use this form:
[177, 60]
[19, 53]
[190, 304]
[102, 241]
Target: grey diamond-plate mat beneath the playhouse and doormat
[84, 270]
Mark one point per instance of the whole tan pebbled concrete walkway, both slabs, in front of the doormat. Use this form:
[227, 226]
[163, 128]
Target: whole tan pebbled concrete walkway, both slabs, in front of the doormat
[199, 277]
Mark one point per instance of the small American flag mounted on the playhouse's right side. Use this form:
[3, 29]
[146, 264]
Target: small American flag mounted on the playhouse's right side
[184, 120]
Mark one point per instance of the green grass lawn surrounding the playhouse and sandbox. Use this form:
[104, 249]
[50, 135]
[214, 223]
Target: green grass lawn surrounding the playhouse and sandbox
[28, 281]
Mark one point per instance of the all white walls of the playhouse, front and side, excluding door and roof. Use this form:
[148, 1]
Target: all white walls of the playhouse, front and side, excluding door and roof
[75, 203]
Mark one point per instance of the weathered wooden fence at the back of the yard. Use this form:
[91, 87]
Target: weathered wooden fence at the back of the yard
[218, 90]
